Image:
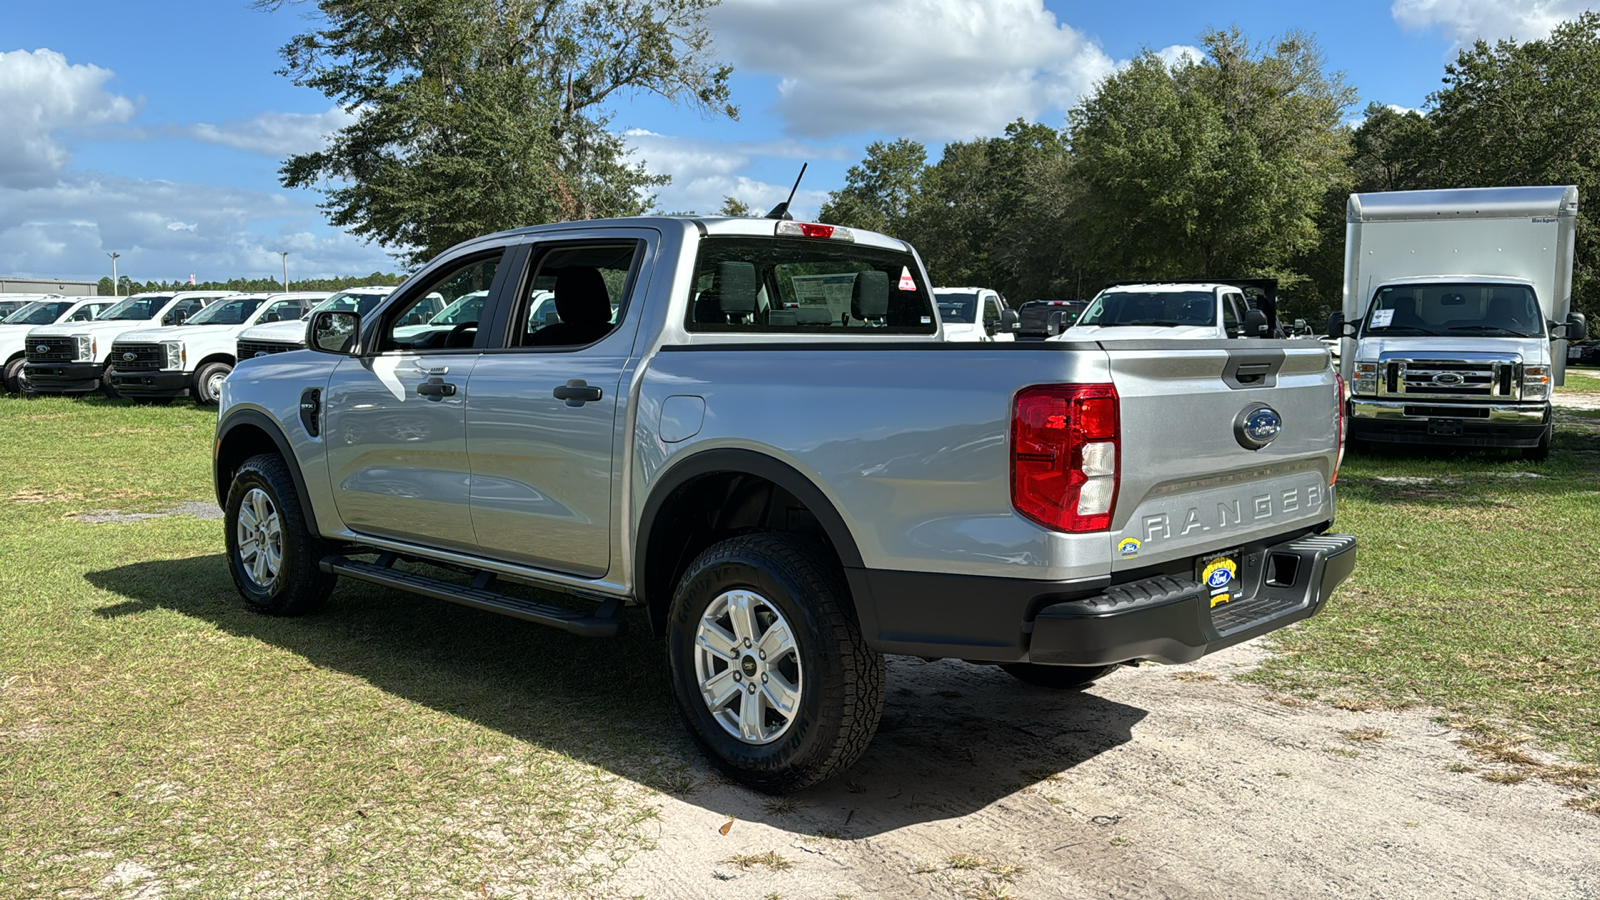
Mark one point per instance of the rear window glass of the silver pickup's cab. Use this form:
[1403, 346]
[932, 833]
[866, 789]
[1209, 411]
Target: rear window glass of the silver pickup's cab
[788, 287]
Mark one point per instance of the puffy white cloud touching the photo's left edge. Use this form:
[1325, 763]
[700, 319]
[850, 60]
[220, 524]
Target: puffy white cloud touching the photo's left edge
[41, 97]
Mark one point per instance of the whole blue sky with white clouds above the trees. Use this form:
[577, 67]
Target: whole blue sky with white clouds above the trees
[158, 131]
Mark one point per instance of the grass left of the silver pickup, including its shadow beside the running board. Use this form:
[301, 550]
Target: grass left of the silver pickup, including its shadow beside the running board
[158, 737]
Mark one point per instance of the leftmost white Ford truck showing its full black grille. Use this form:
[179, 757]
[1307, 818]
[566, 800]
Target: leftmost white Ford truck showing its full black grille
[74, 358]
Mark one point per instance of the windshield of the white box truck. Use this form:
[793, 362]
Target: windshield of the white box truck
[1495, 311]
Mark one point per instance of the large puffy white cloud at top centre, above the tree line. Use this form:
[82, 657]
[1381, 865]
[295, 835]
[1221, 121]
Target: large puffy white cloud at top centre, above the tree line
[927, 70]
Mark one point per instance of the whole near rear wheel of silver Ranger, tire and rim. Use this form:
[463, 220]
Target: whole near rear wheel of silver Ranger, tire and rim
[769, 667]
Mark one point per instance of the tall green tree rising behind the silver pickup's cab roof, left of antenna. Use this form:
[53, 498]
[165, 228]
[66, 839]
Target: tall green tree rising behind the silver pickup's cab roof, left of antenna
[479, 116]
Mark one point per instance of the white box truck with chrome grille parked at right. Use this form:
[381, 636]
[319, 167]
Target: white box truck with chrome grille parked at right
[1457, 311]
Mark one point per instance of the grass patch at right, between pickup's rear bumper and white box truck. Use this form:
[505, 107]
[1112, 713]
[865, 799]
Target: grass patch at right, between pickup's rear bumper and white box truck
[1478, 592]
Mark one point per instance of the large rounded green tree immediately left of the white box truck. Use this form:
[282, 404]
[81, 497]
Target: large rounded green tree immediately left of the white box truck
[1210, 169]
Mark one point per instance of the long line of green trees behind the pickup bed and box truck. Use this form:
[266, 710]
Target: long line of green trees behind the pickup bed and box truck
[1238, 164]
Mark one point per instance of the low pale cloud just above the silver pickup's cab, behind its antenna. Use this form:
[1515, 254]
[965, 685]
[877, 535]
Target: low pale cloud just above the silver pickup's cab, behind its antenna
[705, 172]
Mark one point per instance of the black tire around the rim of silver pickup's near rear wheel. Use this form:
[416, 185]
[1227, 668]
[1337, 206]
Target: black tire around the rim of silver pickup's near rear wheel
[841, 683]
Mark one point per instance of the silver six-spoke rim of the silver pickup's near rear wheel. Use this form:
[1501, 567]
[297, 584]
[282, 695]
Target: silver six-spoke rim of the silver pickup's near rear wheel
[748, 667]
